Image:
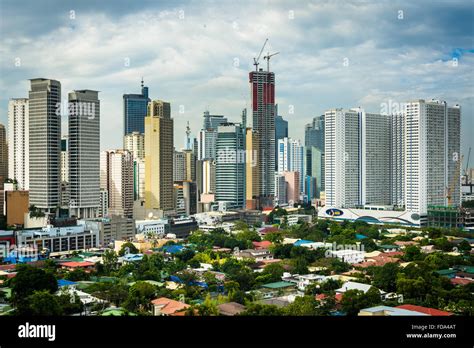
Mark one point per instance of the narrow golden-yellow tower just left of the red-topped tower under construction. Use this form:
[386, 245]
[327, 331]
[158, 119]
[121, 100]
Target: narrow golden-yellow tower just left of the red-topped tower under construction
[252, 169]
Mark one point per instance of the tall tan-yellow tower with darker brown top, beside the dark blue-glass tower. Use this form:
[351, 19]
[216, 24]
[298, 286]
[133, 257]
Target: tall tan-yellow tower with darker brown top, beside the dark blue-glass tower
[159, 157]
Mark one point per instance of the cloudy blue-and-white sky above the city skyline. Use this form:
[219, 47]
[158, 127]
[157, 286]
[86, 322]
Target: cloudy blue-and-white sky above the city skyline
[197, 55]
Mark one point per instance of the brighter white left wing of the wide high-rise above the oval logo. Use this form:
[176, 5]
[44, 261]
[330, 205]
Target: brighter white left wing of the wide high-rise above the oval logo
[342, 160]
